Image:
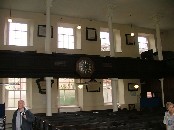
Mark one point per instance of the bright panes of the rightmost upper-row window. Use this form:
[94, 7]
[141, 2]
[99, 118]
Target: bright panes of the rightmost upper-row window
[143, 44]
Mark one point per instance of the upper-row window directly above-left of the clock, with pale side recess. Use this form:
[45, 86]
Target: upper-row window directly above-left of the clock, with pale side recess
[69, 36]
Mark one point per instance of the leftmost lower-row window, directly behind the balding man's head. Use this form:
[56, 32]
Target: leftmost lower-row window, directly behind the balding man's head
[15, 91]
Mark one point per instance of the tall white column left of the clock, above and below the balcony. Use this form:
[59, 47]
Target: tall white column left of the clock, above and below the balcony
[48, 51]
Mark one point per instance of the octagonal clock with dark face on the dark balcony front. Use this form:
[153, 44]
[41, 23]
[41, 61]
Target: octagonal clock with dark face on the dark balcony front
[85, 67]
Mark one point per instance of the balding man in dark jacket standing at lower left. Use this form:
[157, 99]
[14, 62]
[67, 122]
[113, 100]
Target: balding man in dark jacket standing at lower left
[22, 118]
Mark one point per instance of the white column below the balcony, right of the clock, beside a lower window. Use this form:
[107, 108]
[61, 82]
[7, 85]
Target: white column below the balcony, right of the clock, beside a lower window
[114, 84]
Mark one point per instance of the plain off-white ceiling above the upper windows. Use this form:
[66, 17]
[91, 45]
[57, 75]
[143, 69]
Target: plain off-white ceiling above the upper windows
[136, 12]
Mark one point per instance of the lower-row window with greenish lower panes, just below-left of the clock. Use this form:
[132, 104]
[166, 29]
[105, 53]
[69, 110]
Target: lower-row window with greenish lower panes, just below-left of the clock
[67, 92]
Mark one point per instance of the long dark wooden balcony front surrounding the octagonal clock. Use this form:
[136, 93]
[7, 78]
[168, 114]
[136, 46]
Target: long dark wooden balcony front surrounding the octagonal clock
[36, 65]
